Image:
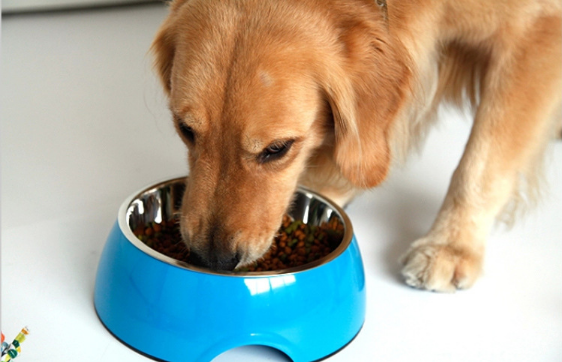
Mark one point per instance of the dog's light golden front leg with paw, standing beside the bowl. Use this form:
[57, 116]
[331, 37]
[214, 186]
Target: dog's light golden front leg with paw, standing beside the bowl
[521, 94]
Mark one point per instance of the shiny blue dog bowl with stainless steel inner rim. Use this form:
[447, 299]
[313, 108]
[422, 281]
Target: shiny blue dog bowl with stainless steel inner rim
[173, 311]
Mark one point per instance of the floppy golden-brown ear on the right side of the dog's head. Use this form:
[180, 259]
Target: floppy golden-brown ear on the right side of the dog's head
[366, 91]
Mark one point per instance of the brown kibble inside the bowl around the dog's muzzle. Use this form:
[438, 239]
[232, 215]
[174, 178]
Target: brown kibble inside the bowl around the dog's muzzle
[296, 244]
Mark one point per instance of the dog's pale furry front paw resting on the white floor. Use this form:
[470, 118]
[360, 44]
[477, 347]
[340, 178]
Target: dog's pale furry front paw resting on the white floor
[440, 267]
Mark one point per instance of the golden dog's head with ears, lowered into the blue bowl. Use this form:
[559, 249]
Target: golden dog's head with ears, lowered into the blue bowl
[255, 88]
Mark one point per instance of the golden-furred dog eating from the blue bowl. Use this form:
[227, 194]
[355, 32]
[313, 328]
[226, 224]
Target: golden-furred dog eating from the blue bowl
[268, 94]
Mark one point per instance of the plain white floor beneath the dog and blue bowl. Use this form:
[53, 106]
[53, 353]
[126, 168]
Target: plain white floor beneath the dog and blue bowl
[84, 124]
